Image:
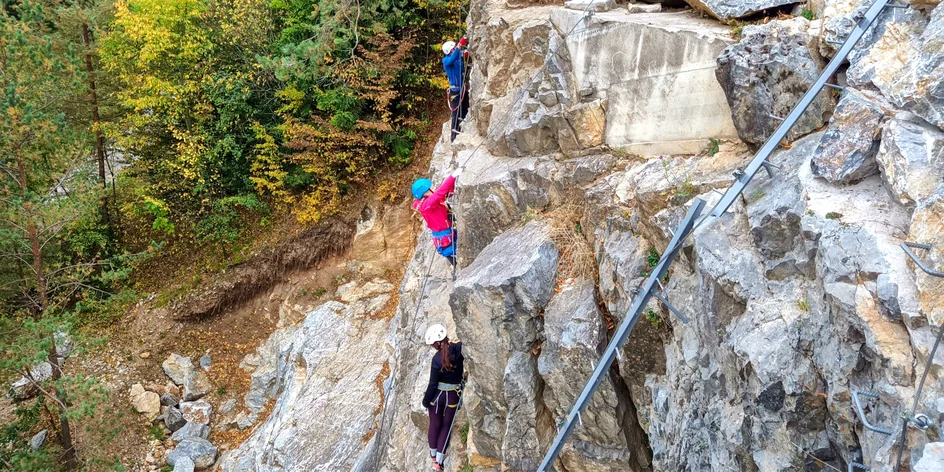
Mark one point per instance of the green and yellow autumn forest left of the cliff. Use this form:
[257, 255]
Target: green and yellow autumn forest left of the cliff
[139, 134]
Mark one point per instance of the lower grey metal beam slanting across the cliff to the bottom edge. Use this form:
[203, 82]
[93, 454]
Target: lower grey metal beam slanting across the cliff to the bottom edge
[612, 350]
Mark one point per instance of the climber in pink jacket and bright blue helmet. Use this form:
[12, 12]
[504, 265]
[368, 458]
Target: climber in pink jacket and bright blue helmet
[432, 205]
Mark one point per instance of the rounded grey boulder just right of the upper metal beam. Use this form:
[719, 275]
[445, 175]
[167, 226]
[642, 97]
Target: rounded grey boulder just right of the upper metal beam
[847, 151]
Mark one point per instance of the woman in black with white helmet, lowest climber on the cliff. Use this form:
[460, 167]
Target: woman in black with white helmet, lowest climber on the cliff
[442, 394]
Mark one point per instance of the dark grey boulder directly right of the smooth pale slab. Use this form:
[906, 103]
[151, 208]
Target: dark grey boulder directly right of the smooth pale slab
[767, 73]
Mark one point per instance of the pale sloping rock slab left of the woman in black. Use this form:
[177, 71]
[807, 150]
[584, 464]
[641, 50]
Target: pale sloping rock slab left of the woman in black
[326, 392]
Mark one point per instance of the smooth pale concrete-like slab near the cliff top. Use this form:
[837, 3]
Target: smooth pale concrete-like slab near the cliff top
[661, 94]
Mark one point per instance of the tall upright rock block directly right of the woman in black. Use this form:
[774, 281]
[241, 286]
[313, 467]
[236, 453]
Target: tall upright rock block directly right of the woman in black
[497, 302]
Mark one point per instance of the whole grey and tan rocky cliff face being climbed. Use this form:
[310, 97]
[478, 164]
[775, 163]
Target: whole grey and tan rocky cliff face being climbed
[796, 297]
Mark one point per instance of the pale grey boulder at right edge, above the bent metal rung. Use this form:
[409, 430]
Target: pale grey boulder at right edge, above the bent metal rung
[911, 159]
